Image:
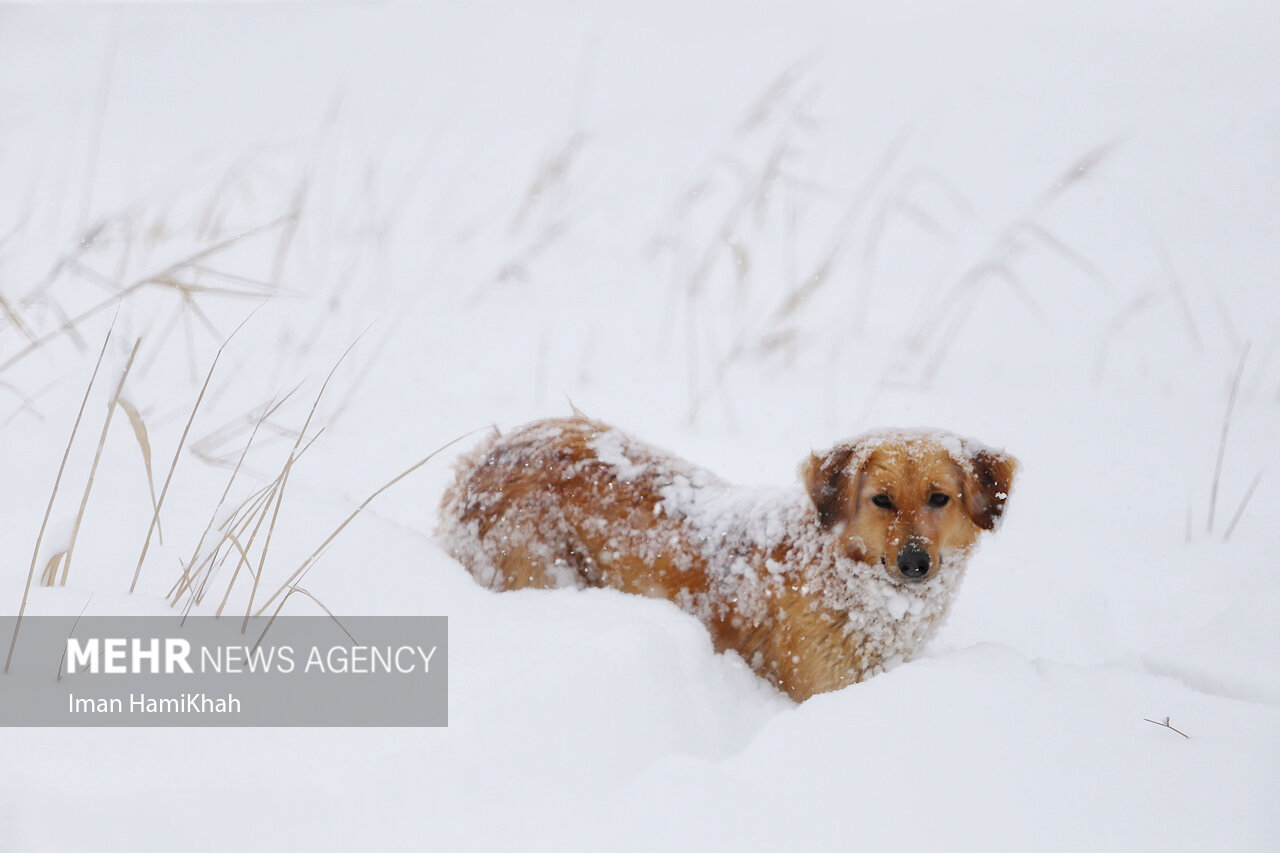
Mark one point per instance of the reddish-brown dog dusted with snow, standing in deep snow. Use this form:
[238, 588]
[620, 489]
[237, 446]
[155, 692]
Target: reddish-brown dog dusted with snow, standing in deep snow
[816, 587]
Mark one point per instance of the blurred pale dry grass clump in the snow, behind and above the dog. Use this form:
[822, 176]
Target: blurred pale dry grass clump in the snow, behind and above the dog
[733, 234]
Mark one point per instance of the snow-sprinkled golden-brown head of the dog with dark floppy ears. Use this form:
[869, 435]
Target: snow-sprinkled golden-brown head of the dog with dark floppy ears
[903, 499]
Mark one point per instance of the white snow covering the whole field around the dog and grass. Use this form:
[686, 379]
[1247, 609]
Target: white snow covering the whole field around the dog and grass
[735, 230]
